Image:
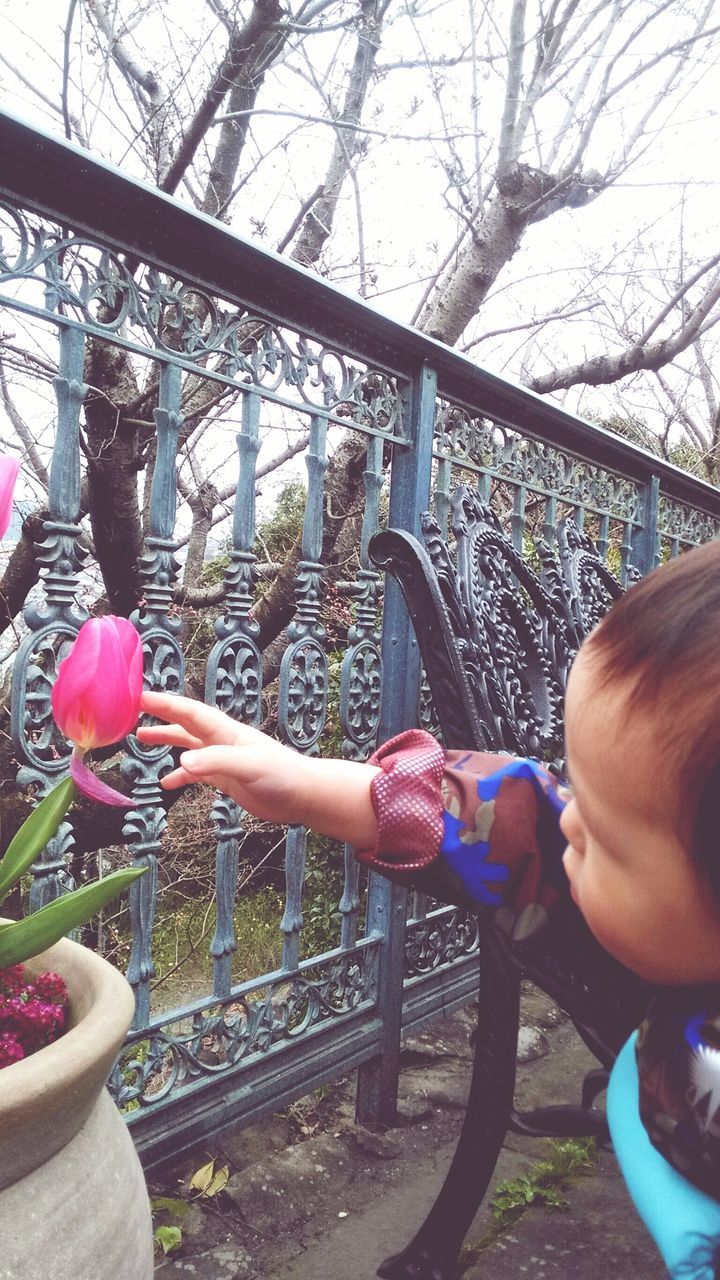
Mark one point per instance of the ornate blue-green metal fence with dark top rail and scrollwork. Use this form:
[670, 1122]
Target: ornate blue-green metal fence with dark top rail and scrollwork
[92, 258]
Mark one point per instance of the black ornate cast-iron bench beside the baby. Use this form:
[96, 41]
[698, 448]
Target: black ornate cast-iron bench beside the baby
[498, 641]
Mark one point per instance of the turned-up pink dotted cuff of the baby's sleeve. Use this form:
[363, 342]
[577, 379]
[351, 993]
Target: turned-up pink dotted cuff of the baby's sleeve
[408, 803]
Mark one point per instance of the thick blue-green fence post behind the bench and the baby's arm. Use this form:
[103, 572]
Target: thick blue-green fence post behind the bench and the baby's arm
[388, 904]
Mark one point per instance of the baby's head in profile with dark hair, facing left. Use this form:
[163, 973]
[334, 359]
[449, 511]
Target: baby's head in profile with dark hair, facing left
[644, 758]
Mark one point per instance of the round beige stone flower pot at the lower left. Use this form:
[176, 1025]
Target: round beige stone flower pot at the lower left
[74, 1204]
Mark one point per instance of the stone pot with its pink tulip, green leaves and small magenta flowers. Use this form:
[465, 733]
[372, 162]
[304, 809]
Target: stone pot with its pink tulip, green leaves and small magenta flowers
[66, 1154]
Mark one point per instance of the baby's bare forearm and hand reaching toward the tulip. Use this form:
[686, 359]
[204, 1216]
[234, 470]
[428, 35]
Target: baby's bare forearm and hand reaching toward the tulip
[263, 776]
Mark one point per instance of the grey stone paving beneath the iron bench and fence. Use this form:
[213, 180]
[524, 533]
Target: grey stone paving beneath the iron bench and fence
[313, 1197]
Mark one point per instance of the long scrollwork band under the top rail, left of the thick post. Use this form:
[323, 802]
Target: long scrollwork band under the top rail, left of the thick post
[157, 314]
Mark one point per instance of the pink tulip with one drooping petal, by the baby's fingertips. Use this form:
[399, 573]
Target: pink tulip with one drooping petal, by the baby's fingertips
[97, 696]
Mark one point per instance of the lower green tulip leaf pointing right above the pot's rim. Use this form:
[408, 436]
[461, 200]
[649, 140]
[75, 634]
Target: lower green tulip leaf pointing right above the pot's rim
[26, 939]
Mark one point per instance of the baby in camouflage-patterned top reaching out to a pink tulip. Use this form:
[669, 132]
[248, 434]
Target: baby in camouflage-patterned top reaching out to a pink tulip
[641, 829]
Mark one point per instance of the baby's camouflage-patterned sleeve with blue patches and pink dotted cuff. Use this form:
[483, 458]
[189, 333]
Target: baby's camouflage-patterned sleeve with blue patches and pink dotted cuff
[471, 828]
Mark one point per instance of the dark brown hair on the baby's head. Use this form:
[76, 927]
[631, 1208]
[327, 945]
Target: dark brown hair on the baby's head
[663, 641]
